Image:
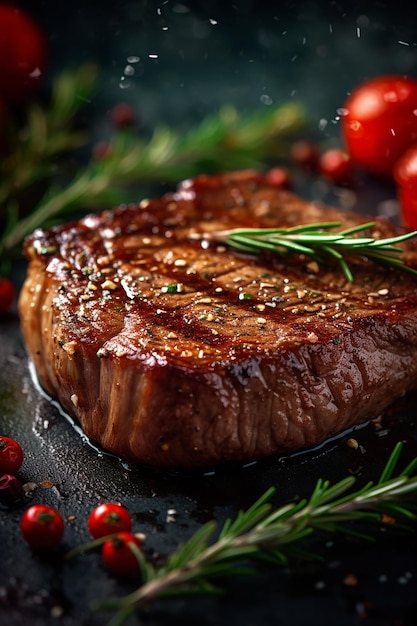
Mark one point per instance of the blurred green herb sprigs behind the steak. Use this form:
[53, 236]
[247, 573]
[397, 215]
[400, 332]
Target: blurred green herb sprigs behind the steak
[42, 182]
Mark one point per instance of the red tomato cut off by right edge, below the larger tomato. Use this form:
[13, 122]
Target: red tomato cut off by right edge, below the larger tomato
[405, 175]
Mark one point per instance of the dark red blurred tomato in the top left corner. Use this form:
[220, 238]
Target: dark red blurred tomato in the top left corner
[23, 53]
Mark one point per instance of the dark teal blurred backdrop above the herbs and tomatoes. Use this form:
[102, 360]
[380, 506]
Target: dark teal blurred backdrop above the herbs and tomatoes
[174, 61]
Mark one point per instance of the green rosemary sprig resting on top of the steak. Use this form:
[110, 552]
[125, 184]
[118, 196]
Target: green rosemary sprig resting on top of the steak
[316, 242]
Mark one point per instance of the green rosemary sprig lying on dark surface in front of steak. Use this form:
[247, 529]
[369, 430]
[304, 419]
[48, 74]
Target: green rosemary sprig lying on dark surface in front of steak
[264, 533]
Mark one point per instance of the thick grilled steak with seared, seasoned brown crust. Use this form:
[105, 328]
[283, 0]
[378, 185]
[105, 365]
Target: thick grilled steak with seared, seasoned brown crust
[173, 351]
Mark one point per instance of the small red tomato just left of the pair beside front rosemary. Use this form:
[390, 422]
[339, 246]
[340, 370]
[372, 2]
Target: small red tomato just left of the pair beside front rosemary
[42, 526]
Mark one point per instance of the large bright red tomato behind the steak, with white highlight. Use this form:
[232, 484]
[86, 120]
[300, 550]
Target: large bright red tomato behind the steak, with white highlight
[380, 121]
